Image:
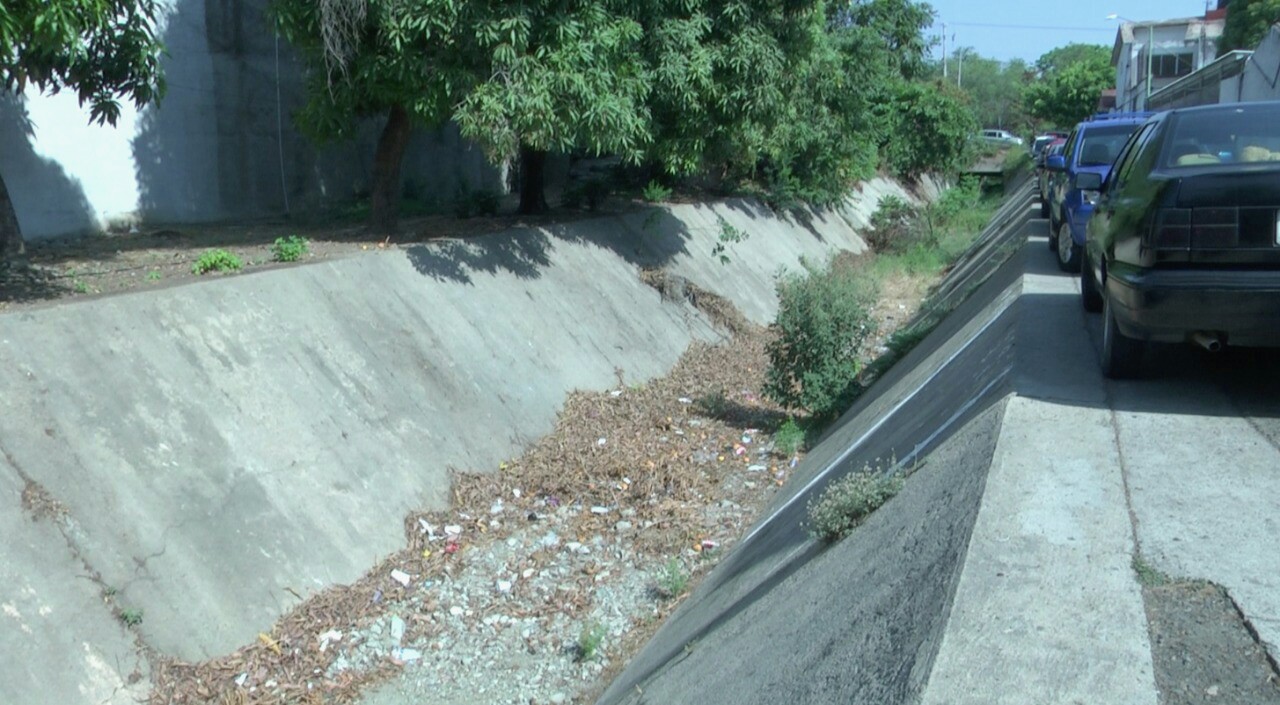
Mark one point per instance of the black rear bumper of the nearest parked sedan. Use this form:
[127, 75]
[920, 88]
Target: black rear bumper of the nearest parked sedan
[1171, 305]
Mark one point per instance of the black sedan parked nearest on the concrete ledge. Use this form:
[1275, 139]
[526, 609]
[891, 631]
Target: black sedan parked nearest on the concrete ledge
[1185, 244]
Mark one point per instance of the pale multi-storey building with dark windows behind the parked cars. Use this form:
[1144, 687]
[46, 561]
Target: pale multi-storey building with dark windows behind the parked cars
[1150, 56]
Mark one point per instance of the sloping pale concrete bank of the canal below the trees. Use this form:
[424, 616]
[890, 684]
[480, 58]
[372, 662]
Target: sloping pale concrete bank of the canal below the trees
[225, 446]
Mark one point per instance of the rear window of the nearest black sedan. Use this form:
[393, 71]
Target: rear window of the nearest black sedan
[1246, 134]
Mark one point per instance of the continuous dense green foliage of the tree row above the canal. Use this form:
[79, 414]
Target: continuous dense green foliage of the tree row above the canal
[783, 94]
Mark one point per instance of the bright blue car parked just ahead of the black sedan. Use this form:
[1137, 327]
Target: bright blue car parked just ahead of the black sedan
[1077, 176]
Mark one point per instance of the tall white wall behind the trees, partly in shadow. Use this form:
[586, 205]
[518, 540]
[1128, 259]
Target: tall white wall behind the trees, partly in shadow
[221, 147]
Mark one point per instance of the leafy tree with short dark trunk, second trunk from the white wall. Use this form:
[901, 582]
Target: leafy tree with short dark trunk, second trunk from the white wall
[557, 77]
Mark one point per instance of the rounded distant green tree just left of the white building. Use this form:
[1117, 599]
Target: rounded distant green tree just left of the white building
[1071, 84]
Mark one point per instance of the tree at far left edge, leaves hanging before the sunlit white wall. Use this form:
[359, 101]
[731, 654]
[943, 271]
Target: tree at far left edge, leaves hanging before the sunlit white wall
[104, 51]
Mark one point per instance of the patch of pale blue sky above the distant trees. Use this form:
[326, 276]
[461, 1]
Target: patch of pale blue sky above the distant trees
[1027, 29]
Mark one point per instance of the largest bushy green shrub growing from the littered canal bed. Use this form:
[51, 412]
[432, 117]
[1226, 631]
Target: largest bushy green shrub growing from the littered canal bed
[824, 321]
